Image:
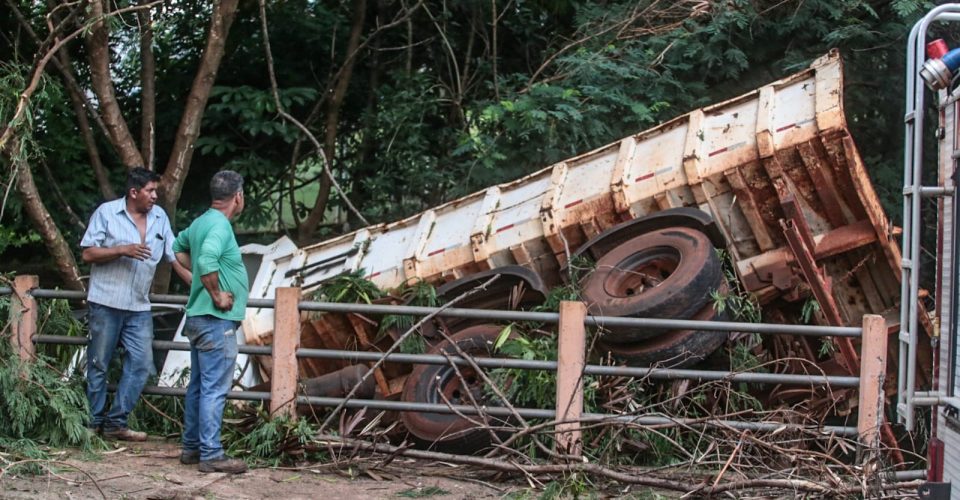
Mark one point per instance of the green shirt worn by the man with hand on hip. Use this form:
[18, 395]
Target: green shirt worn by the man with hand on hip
[213, 248]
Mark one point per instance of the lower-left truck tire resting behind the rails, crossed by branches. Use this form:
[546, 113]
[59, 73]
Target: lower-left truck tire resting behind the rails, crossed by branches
[448, 432]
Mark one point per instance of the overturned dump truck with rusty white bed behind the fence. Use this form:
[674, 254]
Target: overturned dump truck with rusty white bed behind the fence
[772, 179]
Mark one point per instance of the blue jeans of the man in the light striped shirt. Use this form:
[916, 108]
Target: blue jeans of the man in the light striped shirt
[109, 327]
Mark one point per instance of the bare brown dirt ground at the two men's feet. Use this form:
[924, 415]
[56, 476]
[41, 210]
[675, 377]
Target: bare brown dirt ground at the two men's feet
[152, 470]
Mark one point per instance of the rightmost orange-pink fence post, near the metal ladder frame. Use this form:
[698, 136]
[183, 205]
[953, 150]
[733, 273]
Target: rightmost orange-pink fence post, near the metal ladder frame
[873, 368]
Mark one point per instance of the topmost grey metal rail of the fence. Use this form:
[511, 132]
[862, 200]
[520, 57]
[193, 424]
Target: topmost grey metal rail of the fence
[490, 314]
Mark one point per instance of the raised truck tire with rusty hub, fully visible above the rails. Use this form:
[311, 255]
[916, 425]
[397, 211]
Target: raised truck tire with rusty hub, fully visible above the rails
[667, 273]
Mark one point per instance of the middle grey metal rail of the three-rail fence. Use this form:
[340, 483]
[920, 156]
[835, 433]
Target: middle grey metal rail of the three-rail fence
[433, 359]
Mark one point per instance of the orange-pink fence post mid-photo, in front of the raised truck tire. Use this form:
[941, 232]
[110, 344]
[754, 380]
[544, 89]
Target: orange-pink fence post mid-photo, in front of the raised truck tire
[571, 353]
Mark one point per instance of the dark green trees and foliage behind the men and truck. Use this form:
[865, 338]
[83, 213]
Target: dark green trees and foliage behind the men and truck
[410, 102]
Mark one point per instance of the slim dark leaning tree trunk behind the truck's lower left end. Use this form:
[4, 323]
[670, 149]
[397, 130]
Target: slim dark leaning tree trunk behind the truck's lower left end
[339, 92]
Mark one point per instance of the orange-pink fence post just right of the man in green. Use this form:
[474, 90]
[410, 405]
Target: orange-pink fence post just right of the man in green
[286, 341]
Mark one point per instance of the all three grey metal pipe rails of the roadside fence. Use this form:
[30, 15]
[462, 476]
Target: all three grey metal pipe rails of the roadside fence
[653, 373]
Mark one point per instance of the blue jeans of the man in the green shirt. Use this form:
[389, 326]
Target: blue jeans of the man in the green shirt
[213, 356]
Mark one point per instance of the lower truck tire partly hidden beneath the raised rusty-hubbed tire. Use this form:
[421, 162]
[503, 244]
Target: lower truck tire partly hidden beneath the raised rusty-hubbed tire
[673, 349]
